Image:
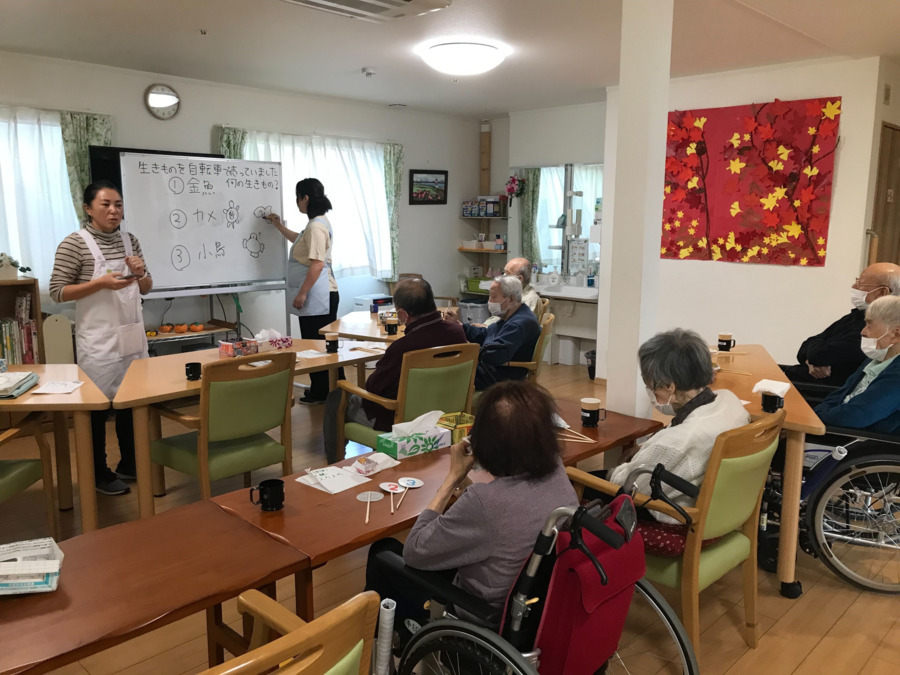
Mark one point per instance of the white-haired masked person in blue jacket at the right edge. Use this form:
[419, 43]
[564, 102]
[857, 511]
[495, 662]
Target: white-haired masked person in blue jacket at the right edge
[870, 398]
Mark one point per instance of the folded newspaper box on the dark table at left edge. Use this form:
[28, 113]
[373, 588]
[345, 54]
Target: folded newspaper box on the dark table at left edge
[30, 566]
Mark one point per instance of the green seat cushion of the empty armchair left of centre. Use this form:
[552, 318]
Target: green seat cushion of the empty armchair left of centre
[226, 458]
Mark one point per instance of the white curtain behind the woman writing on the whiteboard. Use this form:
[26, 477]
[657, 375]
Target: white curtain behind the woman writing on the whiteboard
[353, 175]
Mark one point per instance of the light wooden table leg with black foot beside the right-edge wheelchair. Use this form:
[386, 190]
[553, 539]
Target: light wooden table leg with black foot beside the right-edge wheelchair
[790, 514]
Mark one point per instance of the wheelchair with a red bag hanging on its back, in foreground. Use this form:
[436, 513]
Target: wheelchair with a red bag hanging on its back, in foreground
[579, 606]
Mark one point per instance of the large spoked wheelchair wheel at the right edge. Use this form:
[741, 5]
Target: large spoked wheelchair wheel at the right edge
[854, 519]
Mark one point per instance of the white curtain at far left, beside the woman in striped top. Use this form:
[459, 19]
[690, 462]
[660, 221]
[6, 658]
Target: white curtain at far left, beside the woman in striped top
[36, 211]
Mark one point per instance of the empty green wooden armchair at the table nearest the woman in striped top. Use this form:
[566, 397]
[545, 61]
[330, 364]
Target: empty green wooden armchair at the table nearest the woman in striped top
[238, 404]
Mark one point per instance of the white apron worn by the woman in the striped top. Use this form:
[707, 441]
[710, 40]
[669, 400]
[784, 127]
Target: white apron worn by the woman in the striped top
[109, 325]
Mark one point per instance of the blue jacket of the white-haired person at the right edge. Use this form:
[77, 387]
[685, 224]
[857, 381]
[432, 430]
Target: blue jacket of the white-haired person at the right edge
[876, 409]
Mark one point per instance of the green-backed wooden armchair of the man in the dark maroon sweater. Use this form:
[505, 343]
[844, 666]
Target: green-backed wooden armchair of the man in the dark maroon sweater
[440, 378]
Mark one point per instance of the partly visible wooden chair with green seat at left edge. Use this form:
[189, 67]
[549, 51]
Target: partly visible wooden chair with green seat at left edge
[16, 475]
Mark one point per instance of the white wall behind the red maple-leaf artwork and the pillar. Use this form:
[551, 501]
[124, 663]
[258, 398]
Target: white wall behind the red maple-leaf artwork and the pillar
[767, 304]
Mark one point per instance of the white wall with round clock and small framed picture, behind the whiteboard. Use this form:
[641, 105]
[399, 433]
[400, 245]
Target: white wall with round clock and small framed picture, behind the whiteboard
[428, 234]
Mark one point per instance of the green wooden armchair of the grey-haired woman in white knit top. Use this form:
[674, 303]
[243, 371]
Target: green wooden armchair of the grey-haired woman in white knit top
[727, 509]
